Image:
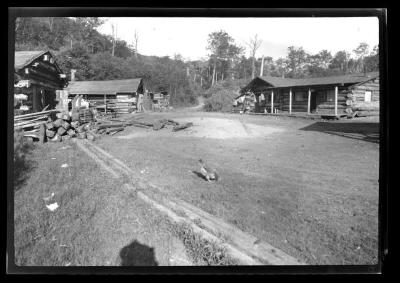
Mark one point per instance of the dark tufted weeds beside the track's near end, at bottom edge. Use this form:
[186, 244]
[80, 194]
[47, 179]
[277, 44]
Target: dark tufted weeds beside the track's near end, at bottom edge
[200, 250]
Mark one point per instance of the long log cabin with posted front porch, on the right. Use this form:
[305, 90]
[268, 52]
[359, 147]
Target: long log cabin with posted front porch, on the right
[334, 95]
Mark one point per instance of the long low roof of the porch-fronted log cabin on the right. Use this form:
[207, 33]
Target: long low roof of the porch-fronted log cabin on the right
[277, 82]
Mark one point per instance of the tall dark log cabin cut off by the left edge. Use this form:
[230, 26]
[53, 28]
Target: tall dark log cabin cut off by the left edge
[37, 75]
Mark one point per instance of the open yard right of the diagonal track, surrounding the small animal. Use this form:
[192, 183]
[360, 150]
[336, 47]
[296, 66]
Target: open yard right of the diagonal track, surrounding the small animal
[309, 188]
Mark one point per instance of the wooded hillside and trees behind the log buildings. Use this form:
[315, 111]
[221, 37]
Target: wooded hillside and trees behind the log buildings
[78, 45]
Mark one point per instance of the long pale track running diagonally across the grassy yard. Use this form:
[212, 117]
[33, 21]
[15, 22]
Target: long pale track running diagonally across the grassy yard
[242, 246]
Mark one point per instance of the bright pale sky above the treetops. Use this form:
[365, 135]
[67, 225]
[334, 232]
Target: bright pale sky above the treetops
[188, 36]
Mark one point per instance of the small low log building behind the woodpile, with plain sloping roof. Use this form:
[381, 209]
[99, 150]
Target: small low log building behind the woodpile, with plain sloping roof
[113, 95]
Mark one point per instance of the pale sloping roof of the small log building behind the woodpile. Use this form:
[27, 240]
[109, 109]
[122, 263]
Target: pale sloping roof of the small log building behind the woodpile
[104, 87]
